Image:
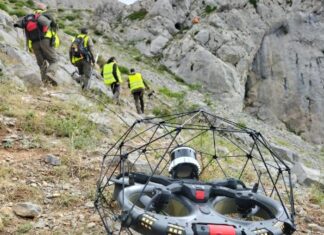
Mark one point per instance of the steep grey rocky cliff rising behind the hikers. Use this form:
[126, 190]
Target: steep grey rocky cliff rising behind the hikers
[264, 56]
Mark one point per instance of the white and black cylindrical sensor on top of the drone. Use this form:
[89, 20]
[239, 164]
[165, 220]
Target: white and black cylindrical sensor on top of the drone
[184, 164]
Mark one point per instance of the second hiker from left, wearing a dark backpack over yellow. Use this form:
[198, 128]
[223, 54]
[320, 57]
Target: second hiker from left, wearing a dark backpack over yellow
[81, 56]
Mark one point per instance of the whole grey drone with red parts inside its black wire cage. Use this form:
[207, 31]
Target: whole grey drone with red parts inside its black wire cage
[194, 173]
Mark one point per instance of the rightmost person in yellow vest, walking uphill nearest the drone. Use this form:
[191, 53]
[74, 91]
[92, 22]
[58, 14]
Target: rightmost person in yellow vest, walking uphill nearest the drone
[137, 85]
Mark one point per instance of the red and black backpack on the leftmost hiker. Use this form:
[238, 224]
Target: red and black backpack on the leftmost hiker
[34, 30]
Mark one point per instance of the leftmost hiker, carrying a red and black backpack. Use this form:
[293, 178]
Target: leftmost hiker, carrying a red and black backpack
[42, 39]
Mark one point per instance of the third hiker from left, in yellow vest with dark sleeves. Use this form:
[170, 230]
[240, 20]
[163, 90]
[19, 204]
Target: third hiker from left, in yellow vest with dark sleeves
[112, 76]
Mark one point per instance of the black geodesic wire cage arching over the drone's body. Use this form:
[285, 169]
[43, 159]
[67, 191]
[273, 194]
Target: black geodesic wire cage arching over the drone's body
[225, 149]
